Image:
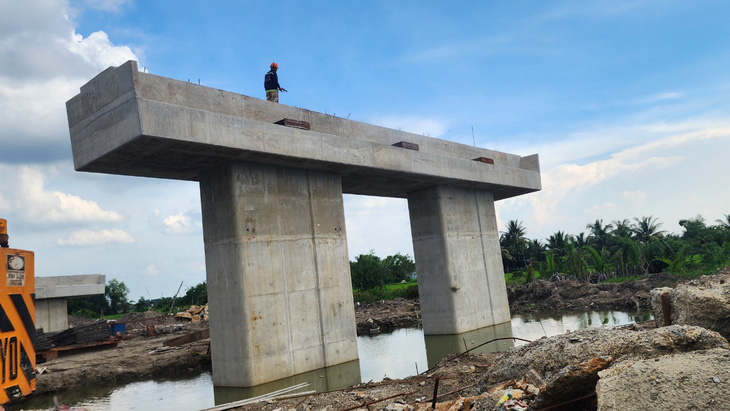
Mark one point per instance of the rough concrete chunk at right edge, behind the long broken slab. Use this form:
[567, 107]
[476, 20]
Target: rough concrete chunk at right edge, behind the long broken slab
[704, 302]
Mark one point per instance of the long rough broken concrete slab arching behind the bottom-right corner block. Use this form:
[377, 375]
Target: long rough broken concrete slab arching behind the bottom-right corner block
[556, 371]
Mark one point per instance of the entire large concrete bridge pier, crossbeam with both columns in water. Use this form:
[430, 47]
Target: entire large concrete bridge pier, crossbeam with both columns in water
[276, 254]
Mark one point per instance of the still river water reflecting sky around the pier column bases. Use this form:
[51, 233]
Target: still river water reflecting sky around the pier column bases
[399, 354]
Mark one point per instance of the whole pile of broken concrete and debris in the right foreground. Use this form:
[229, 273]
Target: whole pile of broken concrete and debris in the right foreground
[636, 367]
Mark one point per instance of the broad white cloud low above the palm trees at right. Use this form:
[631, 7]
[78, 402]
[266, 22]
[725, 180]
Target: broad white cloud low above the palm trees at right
[647, 178]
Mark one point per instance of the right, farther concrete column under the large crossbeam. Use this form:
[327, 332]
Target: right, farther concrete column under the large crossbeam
[458, 259]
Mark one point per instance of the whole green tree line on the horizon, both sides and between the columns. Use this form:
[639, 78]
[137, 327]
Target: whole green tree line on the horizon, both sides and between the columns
[606, 251]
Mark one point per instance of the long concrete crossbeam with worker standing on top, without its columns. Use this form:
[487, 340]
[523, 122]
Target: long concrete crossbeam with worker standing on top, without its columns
[132, 123]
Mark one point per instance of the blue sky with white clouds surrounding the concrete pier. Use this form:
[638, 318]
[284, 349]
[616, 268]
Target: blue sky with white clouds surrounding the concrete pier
[625, 102]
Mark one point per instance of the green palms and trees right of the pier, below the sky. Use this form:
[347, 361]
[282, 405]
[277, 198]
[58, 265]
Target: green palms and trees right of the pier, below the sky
[622, 248]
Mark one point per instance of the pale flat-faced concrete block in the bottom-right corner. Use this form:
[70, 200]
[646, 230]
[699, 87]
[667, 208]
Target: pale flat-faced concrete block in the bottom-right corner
[677, 381]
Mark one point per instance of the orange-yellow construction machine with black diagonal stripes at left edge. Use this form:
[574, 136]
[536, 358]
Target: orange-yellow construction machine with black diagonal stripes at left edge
[17, 320]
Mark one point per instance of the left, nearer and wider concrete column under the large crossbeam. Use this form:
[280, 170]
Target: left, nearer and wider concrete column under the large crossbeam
[278, 272]
